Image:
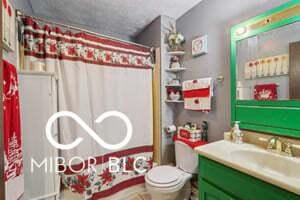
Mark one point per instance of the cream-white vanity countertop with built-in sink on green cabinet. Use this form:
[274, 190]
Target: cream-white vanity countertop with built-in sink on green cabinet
[278, 170]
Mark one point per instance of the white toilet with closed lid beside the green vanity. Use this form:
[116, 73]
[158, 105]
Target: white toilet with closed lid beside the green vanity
[173, 183]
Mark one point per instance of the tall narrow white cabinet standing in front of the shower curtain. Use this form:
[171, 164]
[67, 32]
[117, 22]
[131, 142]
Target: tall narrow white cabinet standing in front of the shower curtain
[38, 102]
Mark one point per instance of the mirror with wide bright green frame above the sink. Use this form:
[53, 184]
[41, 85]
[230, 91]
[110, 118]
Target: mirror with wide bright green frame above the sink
[265, 71]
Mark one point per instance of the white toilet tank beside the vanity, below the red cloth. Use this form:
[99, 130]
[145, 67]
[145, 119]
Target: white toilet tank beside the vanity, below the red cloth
[186, 158]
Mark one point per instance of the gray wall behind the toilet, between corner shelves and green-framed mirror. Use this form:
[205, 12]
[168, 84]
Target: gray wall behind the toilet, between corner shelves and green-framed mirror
[215, 18]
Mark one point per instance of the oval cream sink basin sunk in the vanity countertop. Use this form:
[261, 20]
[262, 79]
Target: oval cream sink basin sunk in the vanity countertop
[269, 163]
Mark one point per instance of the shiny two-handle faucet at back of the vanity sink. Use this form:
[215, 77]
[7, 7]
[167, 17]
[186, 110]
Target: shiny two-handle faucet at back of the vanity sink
[275, 143]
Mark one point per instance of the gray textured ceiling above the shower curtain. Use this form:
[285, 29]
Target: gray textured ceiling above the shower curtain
[120, 18]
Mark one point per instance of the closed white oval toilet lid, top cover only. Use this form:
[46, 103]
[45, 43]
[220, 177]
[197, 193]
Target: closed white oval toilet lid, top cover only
[165, 175]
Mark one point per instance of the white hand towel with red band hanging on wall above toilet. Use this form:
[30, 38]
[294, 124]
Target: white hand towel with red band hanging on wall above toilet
[197, 94]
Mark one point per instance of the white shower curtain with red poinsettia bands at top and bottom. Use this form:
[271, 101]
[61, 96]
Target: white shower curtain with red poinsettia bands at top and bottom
[96, 75]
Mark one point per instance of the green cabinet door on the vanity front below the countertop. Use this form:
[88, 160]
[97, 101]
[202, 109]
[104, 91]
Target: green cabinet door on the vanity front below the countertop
[209, 192]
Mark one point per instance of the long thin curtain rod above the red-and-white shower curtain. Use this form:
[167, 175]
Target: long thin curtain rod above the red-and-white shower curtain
[21, 13]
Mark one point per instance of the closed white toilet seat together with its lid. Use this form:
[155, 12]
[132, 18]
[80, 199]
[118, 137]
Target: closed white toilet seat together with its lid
[165, 177]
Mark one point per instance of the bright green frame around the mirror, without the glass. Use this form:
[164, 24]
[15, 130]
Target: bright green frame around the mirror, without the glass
[260, 115]
